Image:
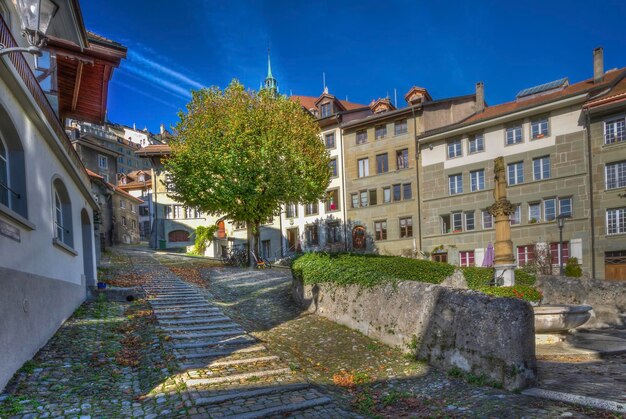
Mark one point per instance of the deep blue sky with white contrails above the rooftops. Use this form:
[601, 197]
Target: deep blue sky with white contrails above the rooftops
[366, 48]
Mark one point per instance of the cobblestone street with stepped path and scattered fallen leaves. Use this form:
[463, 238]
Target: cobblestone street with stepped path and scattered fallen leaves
[224, 342]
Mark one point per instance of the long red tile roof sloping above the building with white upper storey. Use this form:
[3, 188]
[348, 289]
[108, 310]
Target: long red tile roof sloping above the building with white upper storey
[577, 88]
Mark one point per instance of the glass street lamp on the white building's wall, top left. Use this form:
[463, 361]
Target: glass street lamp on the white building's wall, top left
[35, 16]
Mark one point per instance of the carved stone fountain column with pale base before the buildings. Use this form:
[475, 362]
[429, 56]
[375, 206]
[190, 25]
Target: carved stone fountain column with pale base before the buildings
[501, 210]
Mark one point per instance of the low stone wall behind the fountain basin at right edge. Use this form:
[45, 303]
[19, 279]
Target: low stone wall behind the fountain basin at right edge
[608, 298]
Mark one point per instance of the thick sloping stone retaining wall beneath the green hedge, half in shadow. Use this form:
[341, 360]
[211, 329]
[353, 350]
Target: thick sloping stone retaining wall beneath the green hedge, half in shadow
[445, 326]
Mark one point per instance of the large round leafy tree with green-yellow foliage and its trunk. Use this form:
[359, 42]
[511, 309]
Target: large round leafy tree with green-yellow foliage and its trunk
[242, 154]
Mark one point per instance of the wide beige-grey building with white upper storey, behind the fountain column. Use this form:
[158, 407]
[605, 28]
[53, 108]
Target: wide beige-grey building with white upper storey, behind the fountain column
[541, 136]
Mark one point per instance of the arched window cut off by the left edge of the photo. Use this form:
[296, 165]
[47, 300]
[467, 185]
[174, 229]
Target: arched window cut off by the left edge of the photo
[12, 168]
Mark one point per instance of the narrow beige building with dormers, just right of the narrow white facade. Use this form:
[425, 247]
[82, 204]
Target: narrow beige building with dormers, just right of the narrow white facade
[381, 172]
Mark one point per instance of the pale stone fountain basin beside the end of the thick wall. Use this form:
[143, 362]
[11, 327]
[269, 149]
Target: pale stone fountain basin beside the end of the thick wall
[557, 318]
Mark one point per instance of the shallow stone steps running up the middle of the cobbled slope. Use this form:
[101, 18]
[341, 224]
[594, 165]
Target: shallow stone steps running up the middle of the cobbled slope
[227, 372]
